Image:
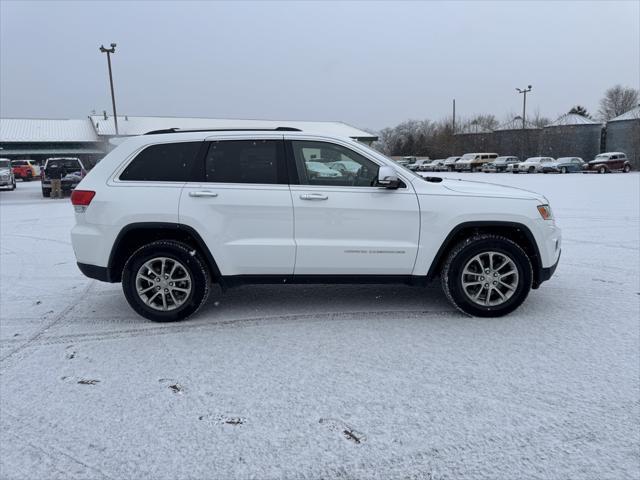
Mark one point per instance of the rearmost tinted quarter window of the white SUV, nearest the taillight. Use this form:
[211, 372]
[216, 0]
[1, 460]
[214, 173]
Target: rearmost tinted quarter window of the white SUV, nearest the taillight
[167, 162]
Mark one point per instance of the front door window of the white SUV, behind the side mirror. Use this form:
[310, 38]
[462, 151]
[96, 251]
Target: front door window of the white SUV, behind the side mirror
[322, 163]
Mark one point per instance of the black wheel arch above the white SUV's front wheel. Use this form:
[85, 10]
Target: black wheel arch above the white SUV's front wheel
[514, 231]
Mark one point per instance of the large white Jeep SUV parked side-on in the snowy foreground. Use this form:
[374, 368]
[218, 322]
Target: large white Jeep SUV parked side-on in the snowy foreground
[167, 214]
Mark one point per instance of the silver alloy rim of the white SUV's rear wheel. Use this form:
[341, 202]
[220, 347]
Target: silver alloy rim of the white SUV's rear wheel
[163, 284]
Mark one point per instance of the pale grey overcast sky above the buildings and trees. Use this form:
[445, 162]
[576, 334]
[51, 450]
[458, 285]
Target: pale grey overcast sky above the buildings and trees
[370, 64]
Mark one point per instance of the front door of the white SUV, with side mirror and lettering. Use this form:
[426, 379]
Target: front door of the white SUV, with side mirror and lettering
[345, 225]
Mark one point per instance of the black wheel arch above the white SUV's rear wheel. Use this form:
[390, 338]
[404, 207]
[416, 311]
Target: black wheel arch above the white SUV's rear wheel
[135, 235]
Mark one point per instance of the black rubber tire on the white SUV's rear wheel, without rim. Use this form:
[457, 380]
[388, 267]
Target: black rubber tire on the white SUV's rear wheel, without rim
[194, 265]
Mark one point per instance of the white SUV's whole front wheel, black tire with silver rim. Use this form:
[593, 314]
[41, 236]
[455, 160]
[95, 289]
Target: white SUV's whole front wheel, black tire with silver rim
[487, 276]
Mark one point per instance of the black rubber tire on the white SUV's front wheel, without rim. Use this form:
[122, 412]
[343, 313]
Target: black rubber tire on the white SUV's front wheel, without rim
[451, 275]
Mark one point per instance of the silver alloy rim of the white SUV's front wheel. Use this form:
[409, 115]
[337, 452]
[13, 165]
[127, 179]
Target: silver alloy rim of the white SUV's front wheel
[490, 279]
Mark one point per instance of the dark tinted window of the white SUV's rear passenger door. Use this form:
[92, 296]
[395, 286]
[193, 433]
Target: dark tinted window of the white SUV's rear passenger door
[246, 161]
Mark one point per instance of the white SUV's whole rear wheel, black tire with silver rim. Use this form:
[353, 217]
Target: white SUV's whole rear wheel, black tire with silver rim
[166, 281]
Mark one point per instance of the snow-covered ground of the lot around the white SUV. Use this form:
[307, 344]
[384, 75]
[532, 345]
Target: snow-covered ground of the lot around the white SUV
[349, 382]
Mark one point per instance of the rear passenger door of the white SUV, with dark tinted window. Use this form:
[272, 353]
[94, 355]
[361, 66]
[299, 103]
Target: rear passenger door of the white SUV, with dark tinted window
[241, 206]
